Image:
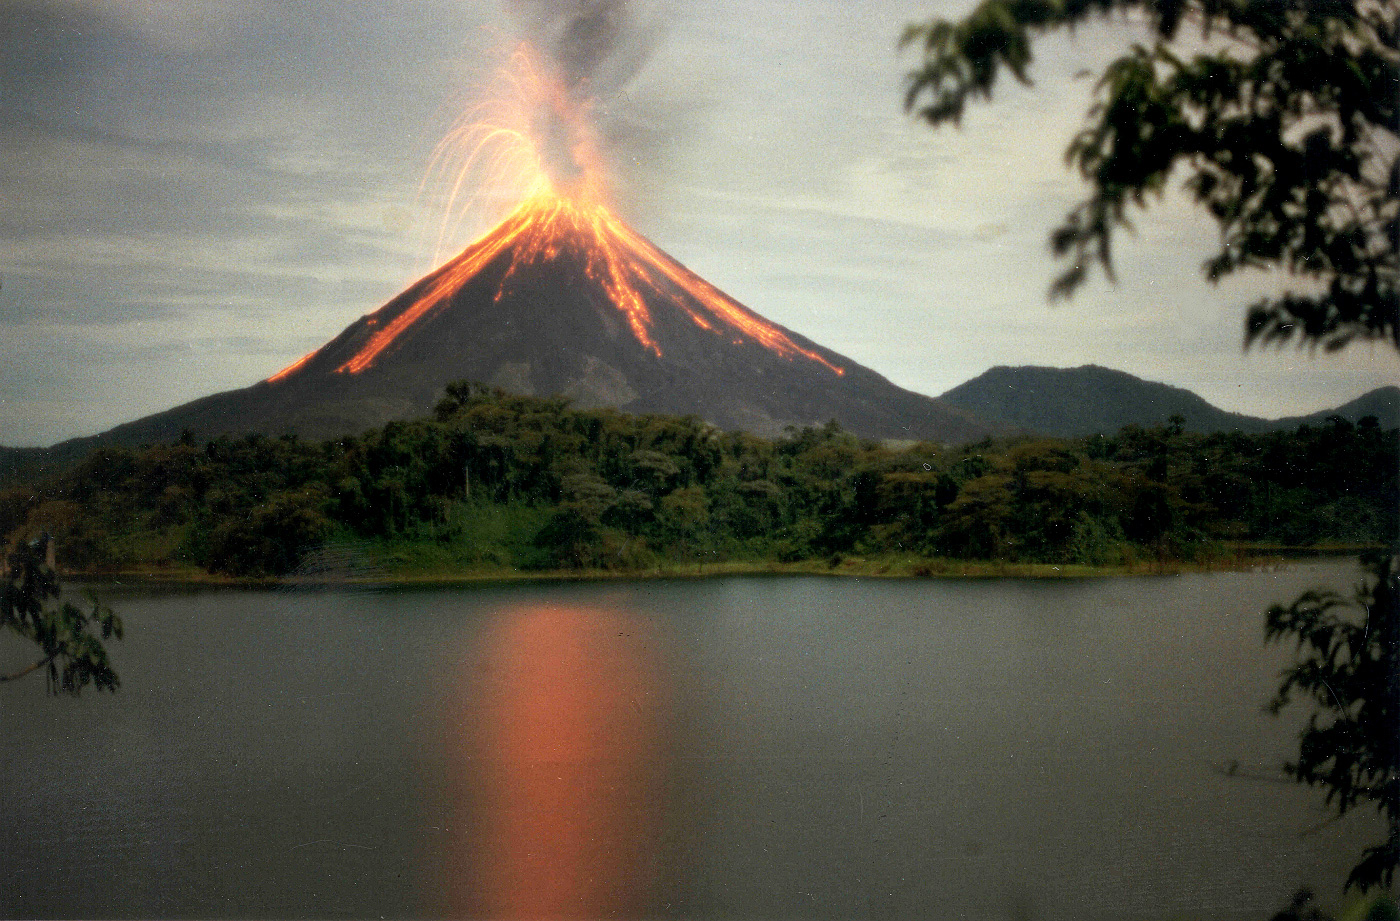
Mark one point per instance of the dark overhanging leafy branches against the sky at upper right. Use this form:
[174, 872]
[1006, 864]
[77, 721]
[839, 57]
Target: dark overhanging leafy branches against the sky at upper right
[1283, 117]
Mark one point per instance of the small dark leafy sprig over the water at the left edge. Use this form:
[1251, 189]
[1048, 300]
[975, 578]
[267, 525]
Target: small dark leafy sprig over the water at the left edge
[69, 639]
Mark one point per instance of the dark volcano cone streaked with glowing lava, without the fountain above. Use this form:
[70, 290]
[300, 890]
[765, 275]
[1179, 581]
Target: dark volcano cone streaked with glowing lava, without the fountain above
[563, 299]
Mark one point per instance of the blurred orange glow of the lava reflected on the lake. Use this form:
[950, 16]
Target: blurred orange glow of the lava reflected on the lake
[556, 797]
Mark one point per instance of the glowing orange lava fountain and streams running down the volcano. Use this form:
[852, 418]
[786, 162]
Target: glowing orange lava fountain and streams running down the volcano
[534, 139]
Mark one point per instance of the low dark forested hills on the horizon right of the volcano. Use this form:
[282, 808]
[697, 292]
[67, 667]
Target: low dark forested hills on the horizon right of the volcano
[1086, 401]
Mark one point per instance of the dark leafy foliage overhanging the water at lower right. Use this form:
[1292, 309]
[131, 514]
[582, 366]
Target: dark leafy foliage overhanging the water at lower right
[1347, 667]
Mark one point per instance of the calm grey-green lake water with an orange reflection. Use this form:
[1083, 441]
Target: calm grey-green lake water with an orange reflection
[736, 748]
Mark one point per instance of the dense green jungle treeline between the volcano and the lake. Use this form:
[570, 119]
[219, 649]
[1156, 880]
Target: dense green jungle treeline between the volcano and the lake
[496, 482]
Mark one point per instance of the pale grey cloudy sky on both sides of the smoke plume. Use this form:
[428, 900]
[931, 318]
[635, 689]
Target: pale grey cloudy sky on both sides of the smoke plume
[195, 194]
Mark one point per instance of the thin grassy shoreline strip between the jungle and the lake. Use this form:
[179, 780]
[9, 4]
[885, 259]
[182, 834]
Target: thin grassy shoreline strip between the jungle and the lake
[850, 568]
